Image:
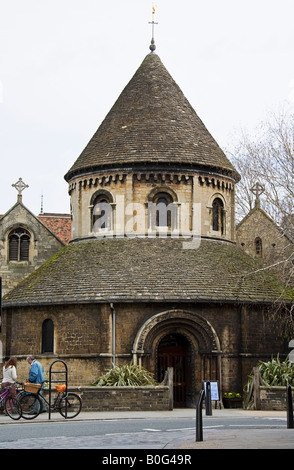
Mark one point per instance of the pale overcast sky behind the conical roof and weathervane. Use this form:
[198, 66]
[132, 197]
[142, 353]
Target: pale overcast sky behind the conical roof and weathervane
[63, 64]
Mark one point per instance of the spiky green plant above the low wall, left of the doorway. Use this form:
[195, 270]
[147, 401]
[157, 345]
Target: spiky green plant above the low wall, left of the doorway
[126, 375]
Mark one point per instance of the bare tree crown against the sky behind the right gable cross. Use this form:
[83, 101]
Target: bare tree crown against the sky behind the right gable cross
[267, 158]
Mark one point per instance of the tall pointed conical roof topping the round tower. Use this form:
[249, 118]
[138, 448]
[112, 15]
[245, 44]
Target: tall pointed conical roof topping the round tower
[151, 123]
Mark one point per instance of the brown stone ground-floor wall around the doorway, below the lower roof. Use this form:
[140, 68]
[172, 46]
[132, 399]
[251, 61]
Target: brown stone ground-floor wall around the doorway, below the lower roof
[83, 339]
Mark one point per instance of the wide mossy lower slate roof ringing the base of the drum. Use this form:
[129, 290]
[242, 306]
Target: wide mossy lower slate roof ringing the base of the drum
[145, 269]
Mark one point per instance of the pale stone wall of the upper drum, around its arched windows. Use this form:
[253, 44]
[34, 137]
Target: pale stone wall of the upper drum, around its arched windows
[192, 194]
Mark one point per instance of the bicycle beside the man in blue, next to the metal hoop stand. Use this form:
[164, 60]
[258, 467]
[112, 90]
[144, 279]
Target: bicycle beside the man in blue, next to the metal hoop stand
[68, 404]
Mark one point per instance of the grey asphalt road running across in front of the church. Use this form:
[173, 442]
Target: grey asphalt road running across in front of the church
[139, 433]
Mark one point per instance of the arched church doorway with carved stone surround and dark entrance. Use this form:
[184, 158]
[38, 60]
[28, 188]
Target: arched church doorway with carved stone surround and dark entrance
[183, 338]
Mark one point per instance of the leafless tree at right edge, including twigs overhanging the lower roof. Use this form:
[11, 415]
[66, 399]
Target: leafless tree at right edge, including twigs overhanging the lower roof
[267, 158]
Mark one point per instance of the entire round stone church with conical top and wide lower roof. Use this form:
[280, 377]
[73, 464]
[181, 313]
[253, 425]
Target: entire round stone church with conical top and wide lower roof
[152, 273]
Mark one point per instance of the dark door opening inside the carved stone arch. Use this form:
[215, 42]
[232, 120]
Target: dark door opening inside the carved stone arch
[174, 351]
